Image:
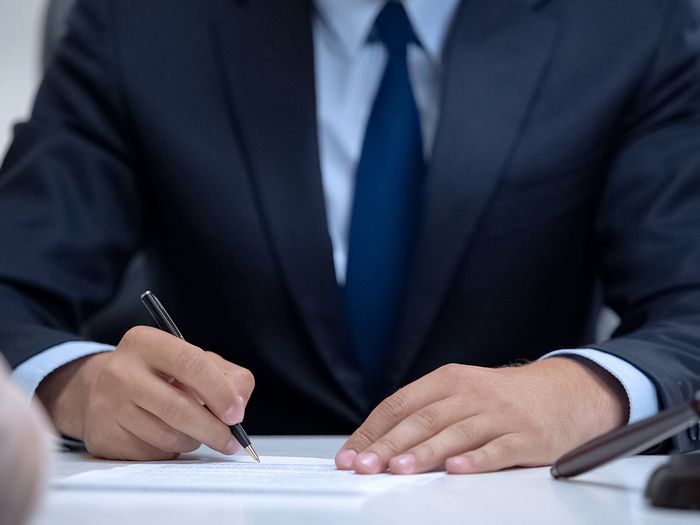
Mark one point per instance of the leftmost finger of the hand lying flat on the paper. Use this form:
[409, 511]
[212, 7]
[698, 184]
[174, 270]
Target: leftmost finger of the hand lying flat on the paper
[426, 390]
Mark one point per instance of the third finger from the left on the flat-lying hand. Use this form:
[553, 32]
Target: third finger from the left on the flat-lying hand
[459, 437]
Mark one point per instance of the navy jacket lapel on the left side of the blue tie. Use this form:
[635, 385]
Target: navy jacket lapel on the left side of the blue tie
[266, 53]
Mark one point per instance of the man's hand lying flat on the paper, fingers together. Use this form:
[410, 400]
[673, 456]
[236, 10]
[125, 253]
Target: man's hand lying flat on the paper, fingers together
[468, 419]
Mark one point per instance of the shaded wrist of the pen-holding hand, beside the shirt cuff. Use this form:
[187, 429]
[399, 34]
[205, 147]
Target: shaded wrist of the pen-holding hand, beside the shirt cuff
[66, 391]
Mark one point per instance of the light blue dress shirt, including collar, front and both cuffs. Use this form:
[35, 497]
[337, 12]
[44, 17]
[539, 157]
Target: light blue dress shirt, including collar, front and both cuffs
[348, 73]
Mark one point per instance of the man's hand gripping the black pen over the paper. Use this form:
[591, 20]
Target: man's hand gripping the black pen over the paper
[144, 401]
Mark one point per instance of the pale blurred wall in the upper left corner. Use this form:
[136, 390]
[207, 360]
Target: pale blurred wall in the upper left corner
[21, 23]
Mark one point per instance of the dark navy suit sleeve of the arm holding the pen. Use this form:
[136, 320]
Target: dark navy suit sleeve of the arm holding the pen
[70, 209]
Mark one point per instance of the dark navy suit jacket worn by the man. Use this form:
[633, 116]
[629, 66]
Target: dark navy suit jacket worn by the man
[565, 174]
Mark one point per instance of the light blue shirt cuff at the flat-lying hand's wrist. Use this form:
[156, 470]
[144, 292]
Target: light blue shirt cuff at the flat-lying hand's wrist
[641, 392]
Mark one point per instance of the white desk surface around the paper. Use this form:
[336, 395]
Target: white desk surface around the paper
[612, 494]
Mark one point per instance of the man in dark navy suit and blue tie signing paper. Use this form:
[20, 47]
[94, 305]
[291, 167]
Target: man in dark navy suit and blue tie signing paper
[337, 199]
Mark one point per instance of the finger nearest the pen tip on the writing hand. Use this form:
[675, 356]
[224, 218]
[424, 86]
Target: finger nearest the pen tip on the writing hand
[179, 411]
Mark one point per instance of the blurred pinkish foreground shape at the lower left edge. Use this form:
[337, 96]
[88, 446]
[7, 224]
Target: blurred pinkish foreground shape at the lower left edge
[23, 455]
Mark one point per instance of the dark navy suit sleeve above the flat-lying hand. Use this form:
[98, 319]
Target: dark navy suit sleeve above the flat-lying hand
[649, 220]
